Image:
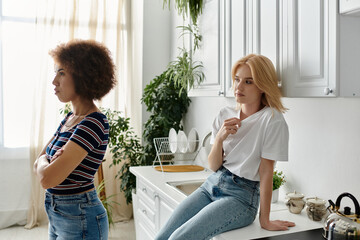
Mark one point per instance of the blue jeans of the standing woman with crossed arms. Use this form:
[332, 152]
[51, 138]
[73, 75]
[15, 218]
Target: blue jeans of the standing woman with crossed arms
[77, 216]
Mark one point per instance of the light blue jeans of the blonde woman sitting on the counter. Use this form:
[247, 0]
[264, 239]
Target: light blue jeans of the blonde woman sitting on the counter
[224, 202]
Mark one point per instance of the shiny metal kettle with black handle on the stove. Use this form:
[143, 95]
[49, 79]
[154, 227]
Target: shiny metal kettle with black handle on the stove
[342, 225]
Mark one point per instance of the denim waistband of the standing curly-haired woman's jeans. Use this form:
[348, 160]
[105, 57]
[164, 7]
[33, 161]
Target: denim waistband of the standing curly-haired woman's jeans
[80, 197]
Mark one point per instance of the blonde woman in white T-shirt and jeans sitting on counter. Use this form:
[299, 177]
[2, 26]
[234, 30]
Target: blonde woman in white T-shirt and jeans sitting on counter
[247, 140]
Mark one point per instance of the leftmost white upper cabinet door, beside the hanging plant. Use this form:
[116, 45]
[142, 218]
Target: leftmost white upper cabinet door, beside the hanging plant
[211, 50]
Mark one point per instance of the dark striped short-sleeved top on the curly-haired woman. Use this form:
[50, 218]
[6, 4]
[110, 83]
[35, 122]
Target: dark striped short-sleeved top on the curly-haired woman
[91, 134]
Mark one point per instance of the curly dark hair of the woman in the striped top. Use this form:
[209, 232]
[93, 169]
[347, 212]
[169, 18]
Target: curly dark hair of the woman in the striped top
[90, 64]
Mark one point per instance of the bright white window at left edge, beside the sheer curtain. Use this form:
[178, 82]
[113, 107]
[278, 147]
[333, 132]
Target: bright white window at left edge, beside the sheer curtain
[17, 31]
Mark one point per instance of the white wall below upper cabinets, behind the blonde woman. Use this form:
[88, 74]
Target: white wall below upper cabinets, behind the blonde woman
[324, 147]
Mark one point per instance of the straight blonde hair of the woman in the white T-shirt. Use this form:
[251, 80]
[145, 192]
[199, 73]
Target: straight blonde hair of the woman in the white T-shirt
[264, 77]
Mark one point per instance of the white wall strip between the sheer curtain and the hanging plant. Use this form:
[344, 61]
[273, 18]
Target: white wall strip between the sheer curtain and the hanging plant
[154, 39]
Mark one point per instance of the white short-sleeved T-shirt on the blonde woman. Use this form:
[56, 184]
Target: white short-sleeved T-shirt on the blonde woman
[264, 134]
